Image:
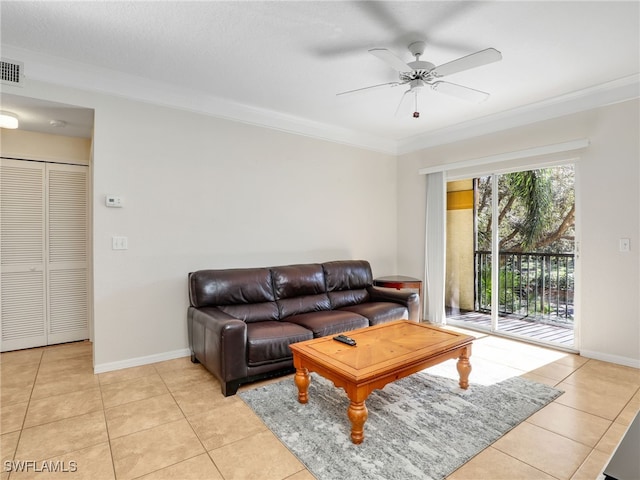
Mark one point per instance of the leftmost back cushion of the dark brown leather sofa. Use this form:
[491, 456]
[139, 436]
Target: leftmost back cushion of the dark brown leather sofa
[245, 293]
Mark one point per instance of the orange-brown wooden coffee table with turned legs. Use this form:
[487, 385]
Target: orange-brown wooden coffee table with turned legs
[383, 353]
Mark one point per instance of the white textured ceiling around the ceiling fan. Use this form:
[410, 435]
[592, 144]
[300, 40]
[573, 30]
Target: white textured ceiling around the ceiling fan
[288, 59]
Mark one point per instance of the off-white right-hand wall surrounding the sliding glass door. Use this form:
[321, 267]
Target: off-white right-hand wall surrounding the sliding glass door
[608, 186]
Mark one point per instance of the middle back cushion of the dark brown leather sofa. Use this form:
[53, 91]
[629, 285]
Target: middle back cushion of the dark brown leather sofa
[299, 289]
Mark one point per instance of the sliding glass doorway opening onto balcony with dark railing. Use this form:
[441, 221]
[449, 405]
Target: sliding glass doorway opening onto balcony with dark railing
[510, 254]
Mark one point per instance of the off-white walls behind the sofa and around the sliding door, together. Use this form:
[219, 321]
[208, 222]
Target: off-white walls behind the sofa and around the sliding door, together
[206, 193]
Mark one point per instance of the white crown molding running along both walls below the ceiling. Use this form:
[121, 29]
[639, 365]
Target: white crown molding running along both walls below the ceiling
[60, 71]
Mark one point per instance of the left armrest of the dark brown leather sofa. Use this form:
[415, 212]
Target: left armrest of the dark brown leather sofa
[219, 341]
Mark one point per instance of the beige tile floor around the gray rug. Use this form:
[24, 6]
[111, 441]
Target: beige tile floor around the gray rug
[169, 420]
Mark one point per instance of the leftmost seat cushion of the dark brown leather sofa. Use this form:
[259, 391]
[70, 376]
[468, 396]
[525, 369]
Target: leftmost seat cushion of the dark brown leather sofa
[268, 341]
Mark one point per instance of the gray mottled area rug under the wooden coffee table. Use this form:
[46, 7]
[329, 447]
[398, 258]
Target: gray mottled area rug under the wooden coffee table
[420, 427]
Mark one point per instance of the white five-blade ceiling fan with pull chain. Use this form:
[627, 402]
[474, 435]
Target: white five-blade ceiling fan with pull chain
[420, 74]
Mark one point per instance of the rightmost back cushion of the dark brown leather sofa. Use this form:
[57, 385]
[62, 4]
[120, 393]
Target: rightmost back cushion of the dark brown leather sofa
[347, 282]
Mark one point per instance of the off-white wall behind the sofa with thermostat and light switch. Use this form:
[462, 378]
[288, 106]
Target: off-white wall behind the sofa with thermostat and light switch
[201, 192]
